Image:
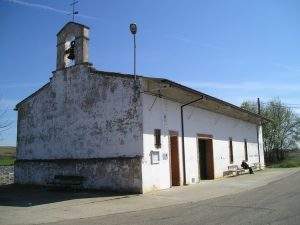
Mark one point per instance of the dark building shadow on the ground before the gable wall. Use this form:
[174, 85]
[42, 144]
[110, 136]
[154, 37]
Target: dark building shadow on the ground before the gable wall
[30, 195]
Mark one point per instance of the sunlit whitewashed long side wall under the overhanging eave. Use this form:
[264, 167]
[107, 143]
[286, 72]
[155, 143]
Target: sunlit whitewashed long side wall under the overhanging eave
[165, 115]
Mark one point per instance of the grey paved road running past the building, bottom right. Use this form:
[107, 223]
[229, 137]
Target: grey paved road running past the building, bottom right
[276, 203]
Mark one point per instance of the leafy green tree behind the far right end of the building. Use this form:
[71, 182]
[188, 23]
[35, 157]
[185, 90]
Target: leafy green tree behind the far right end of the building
[283, 131]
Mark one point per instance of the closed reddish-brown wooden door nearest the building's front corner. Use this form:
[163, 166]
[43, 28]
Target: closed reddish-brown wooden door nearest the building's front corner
[174, 161]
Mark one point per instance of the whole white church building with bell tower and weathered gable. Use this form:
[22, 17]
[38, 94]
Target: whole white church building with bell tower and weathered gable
[123, 133]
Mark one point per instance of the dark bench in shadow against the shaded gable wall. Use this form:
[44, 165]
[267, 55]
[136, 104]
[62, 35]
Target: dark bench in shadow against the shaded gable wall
[67, 181]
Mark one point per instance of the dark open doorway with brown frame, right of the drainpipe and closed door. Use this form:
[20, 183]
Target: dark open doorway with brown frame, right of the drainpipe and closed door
[206, 159]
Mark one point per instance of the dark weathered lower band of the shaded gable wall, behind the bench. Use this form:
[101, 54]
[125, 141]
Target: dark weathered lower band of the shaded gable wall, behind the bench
[111, 174]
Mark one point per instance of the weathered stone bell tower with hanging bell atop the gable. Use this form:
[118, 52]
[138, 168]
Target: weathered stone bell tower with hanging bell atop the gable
[72, 45]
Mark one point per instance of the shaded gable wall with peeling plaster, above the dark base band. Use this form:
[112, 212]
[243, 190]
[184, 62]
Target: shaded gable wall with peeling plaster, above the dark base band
[81, 115]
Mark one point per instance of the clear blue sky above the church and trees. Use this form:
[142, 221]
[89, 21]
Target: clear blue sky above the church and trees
[233, 49]
